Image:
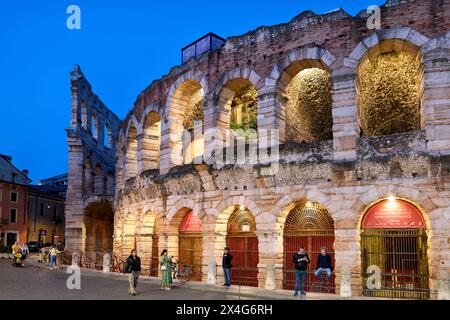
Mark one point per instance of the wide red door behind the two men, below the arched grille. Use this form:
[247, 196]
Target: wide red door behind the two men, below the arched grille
[312, 244]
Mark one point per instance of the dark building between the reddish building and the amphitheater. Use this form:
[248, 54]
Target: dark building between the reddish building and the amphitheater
[46, 210]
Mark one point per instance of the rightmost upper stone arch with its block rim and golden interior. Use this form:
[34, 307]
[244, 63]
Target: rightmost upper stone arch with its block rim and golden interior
[399, 90]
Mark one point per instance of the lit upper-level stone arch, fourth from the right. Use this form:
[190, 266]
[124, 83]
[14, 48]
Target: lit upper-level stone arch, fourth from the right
[189, 89]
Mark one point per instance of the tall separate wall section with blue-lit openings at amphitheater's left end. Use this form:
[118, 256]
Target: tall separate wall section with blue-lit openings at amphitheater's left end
[91, 165]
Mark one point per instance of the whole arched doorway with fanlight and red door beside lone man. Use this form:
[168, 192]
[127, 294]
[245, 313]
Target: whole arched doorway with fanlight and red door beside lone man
[243, 244]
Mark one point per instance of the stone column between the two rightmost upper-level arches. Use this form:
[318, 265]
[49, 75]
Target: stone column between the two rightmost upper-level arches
[346, 130]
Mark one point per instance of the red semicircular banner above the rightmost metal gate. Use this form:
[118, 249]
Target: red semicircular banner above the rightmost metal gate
[393, 214]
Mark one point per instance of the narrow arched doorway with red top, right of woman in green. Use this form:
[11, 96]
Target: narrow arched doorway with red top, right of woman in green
[190, 244]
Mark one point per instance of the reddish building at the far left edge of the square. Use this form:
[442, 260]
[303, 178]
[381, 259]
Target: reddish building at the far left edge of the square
[14, 185]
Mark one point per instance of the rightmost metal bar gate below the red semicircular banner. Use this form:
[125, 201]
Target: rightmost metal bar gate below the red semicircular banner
[401, 254]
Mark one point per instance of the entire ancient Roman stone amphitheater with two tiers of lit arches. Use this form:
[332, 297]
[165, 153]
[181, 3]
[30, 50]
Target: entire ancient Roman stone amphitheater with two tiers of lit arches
[362, 118]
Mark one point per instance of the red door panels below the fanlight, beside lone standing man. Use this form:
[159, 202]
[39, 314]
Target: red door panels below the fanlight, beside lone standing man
[245, 260]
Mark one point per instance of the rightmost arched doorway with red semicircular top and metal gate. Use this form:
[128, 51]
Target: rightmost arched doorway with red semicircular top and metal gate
[394, 239]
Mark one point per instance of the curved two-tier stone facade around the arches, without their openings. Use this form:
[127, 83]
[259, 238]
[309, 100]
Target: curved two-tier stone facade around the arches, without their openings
[345, 175]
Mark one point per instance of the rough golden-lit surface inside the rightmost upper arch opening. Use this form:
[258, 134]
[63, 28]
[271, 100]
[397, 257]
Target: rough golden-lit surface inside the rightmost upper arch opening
[389, 94]
